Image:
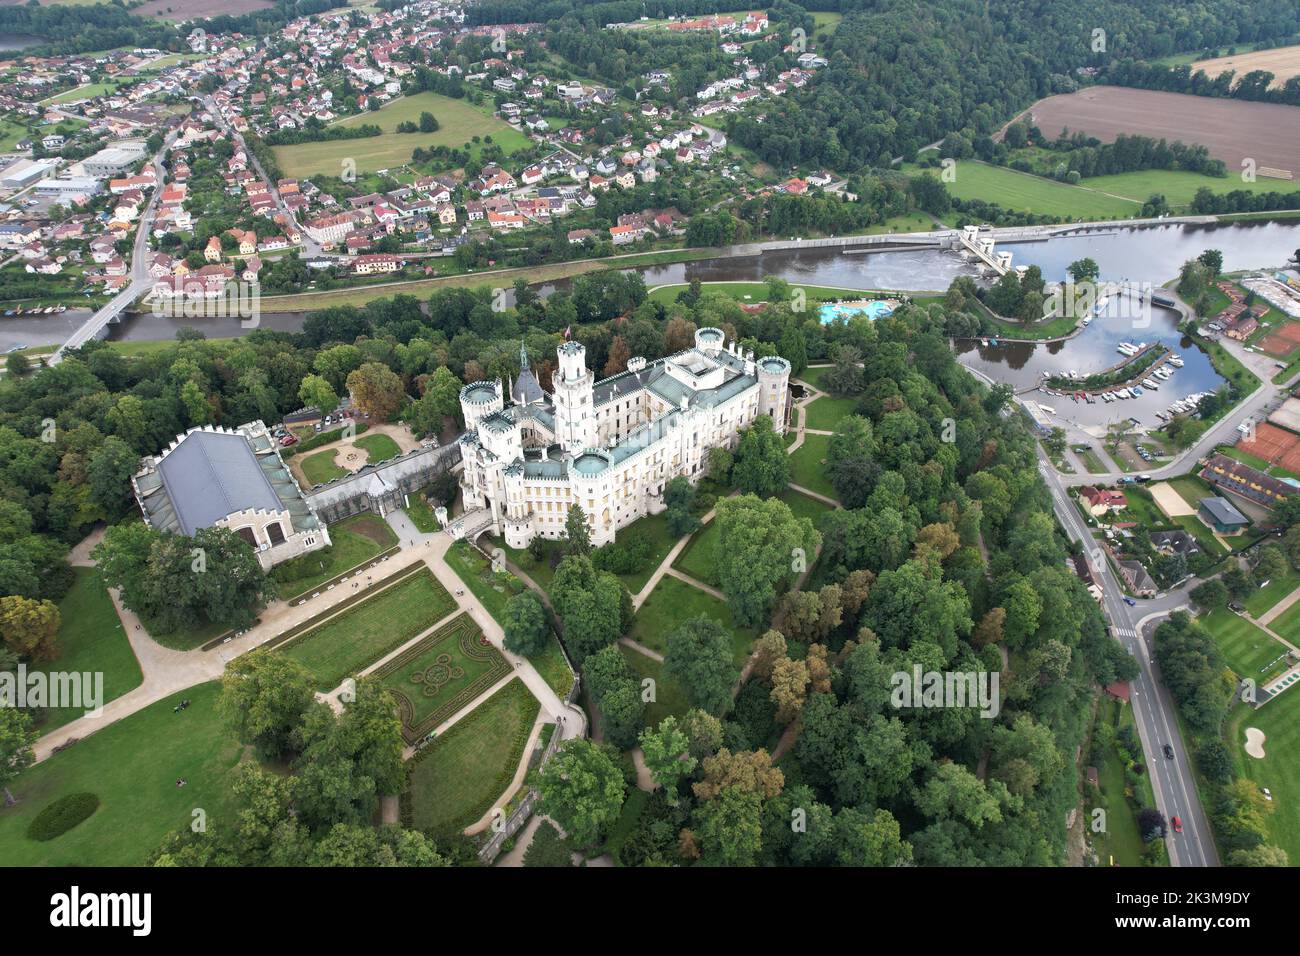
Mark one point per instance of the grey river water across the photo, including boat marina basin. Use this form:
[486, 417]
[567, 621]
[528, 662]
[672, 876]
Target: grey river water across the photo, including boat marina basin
[1150, 254]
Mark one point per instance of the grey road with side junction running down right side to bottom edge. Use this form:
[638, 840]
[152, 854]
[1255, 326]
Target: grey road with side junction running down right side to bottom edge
[1154, 711]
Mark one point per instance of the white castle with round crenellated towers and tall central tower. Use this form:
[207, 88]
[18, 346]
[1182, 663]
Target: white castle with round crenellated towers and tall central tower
[613, 445]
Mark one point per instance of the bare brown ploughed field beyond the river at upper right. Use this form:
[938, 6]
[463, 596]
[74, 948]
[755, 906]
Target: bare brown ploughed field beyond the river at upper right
[1233, 131]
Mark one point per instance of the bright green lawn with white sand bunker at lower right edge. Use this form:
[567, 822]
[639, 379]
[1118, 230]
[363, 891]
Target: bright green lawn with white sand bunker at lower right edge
[1279, 769]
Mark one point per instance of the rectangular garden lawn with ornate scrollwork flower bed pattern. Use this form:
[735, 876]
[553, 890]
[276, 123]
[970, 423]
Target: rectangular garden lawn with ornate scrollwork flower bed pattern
[441, 674]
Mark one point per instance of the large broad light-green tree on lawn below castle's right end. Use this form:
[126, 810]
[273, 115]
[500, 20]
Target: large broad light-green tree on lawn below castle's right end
[761, 547]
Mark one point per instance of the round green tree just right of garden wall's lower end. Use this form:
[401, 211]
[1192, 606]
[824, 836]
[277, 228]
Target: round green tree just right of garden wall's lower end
[582, 789]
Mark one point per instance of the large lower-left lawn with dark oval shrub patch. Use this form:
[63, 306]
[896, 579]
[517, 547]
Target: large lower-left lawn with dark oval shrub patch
[133, 765]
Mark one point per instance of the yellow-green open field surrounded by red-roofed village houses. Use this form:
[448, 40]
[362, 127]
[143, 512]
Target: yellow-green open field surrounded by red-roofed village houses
[460, 123]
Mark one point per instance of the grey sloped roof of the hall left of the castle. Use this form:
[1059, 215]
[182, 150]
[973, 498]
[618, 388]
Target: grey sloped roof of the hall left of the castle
[211, 475]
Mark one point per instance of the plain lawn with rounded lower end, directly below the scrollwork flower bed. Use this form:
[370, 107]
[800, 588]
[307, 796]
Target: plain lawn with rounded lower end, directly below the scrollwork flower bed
[460, 776]
